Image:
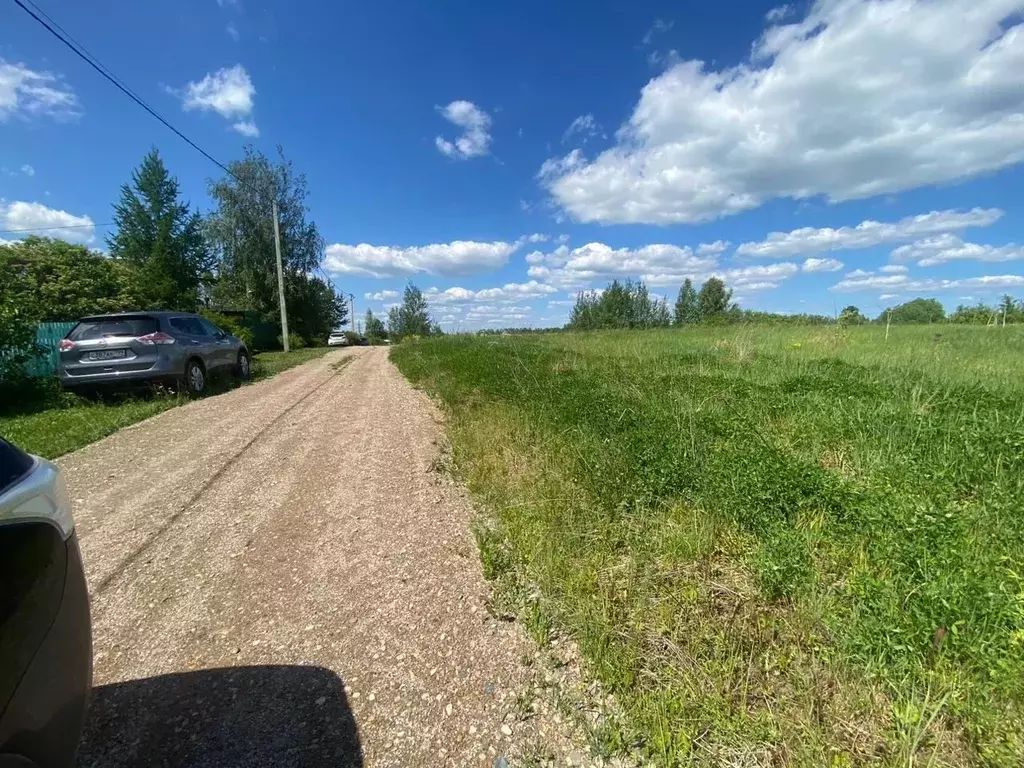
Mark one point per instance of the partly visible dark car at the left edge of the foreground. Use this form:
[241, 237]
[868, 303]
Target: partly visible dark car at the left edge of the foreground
[46, 630]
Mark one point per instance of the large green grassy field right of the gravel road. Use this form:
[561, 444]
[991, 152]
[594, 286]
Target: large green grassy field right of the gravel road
[773, 546]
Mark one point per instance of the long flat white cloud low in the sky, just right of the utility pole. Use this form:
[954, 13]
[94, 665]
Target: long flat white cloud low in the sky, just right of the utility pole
[458, 258]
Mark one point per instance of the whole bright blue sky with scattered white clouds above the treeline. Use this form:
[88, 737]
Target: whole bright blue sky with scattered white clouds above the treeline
[505, 156]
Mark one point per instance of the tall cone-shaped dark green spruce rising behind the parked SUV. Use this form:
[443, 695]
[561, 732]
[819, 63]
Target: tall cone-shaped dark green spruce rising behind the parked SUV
[159, 236]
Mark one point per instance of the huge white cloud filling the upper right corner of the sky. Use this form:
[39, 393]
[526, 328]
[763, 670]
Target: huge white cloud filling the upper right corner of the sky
[859, 99]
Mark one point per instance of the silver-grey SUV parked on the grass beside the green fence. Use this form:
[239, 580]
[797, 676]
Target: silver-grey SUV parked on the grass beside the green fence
[177, 349]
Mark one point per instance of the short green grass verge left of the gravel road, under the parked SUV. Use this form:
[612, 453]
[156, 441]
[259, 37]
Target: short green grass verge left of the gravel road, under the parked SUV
[54, 423]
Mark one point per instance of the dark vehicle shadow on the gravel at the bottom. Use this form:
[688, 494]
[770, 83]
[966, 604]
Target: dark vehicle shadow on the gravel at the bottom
[238, 716]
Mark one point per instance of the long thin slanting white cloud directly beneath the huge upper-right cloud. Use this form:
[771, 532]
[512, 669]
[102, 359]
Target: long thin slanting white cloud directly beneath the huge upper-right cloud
[868, 234]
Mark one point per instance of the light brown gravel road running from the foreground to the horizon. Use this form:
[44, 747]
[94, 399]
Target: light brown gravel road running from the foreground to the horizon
[280, 579]
